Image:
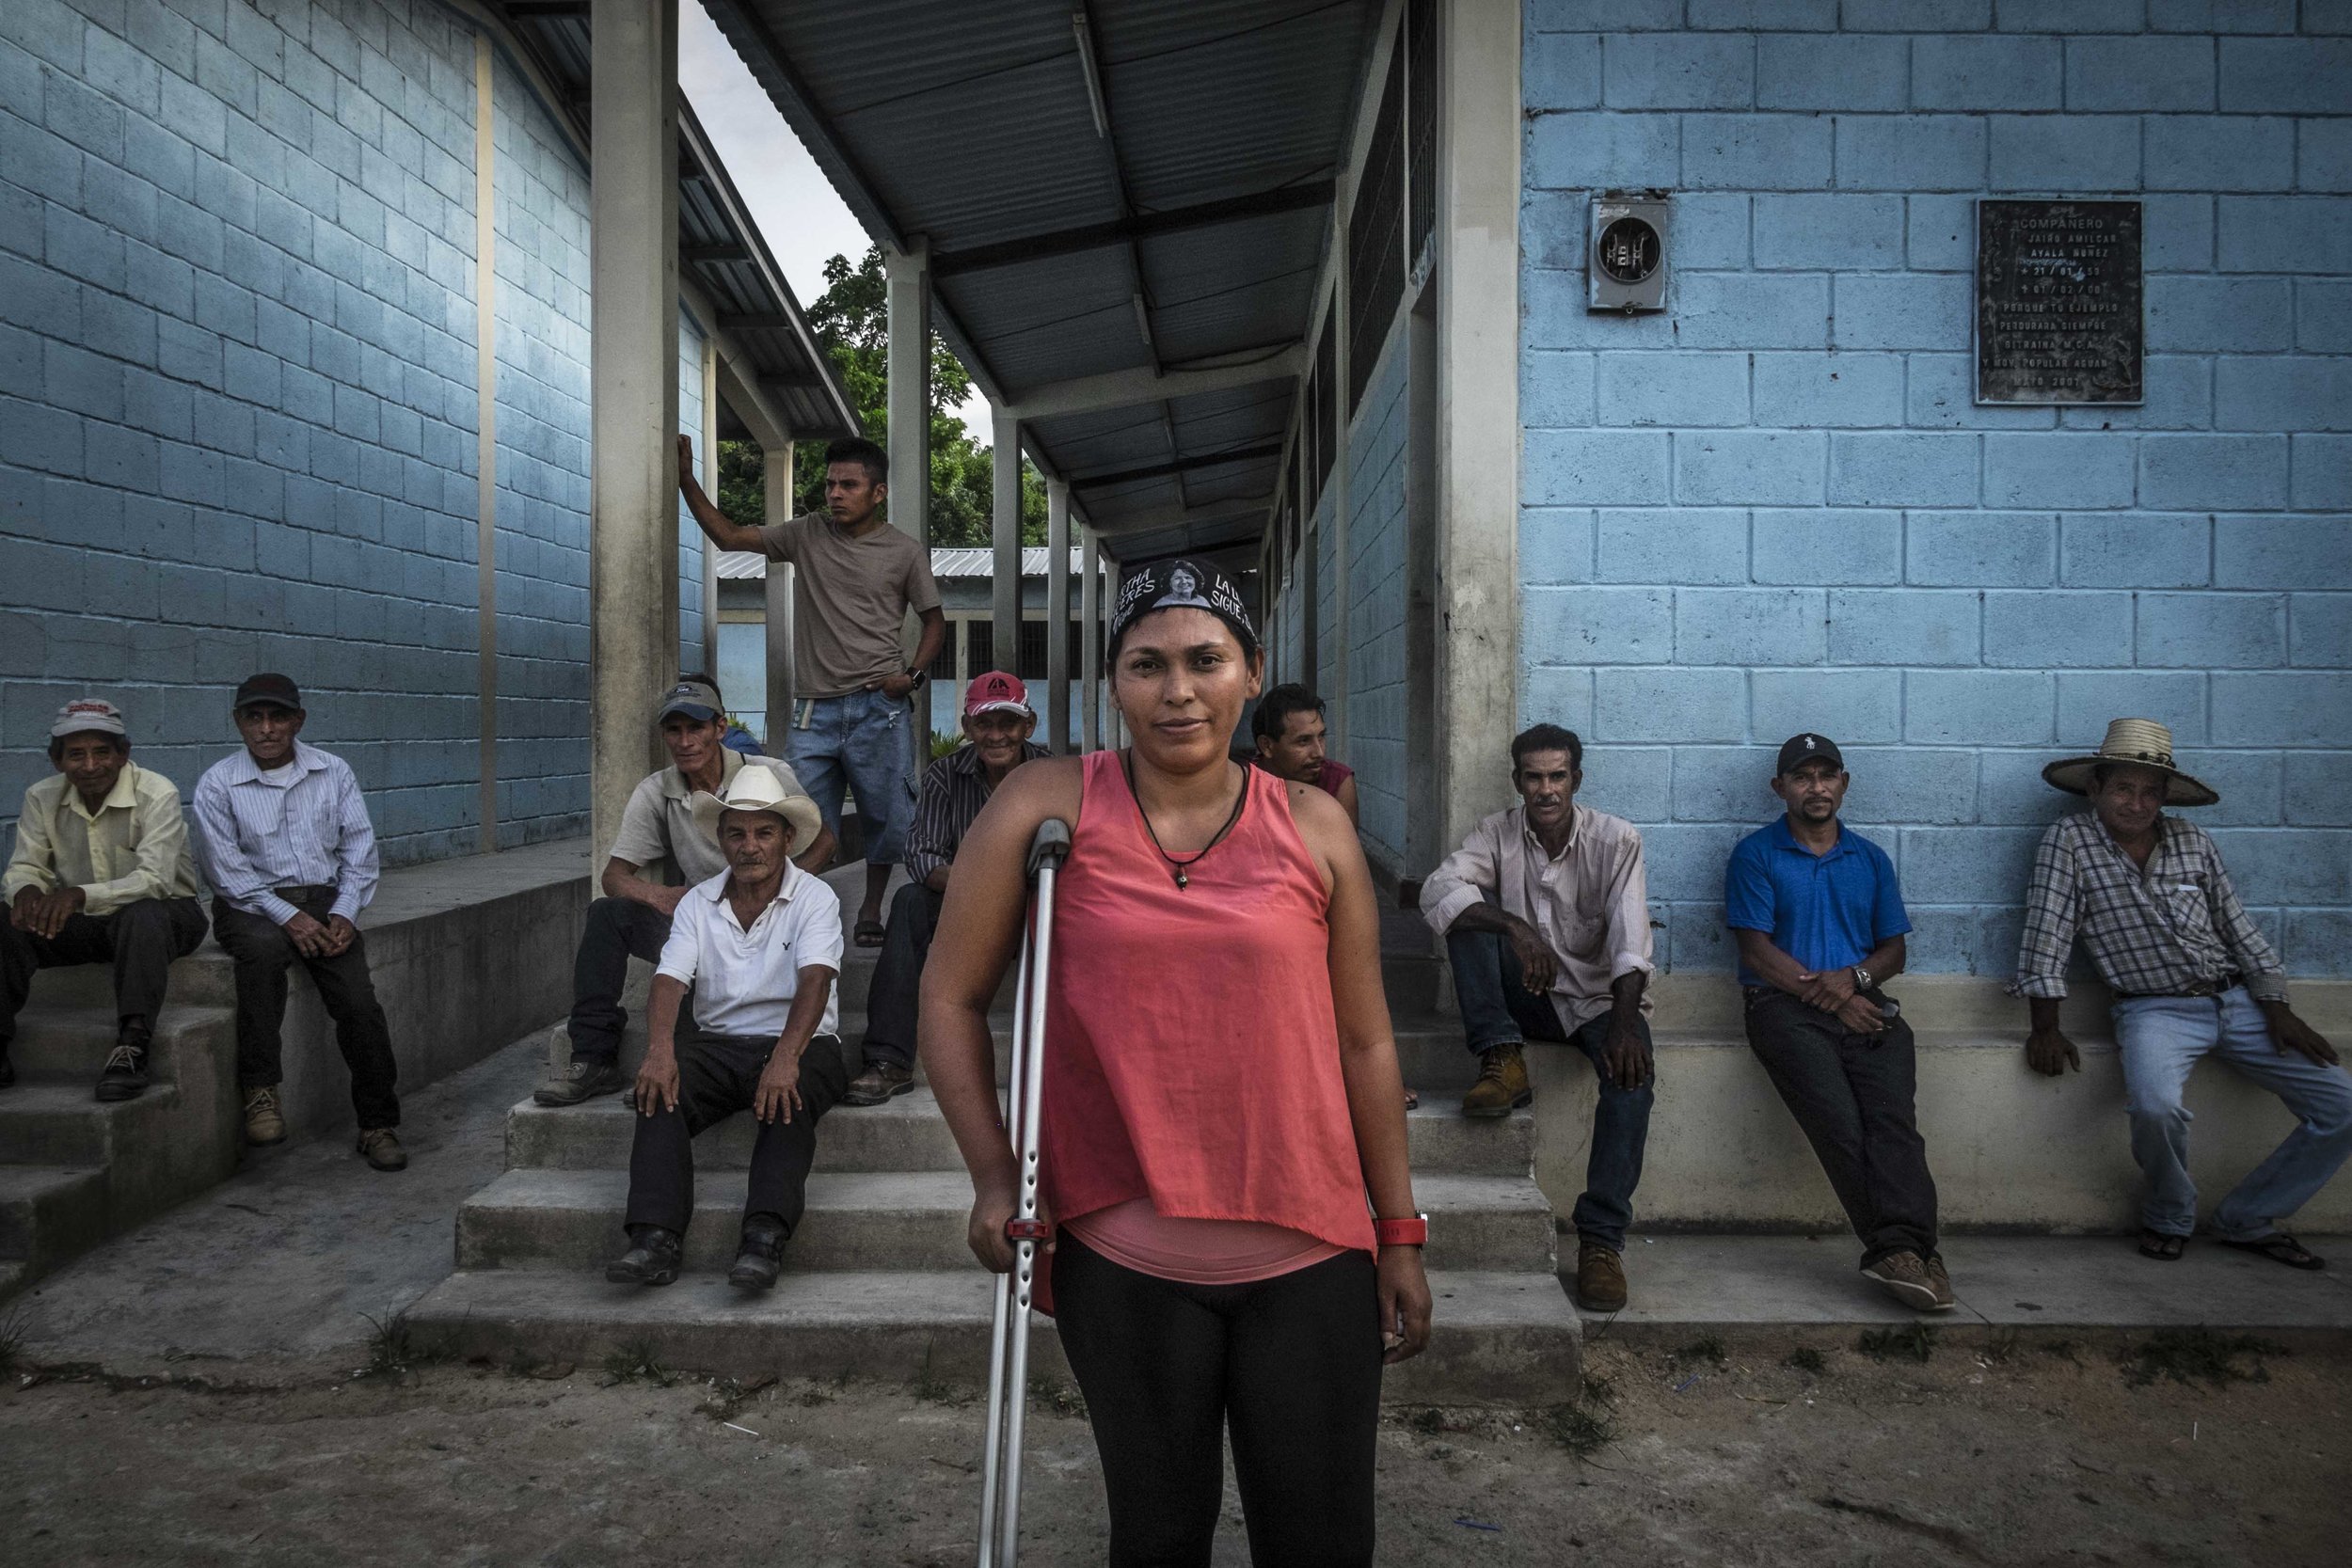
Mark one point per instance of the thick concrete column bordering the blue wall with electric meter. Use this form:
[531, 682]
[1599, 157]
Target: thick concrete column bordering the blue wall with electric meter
[1478, 408]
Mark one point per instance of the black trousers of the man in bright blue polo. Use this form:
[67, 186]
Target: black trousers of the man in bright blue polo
[1855, 1101]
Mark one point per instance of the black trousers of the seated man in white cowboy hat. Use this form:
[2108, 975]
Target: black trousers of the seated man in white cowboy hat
[716, 1080]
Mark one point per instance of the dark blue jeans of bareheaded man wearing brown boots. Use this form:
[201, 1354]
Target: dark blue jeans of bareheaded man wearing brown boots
[1502, 1012]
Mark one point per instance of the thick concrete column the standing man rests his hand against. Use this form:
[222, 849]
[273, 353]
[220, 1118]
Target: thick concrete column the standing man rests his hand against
[634, 396]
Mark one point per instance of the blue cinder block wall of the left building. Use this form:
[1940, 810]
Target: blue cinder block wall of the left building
[239, 401]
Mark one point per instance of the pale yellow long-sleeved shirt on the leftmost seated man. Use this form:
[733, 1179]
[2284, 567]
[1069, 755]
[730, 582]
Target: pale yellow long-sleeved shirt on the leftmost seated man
[133, 847]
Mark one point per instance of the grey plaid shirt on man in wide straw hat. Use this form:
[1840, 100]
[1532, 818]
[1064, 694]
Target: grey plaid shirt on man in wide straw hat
[2156, 932]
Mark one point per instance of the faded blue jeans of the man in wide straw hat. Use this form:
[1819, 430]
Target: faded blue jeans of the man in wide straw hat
[2160, 1040]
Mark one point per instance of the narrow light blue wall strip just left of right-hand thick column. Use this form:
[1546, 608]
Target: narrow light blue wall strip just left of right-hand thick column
[1377, 596]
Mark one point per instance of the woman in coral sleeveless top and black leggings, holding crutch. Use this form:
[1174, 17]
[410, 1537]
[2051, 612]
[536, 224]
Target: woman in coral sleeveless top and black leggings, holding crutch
[1222, 1097]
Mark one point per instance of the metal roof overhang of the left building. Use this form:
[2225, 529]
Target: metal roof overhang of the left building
[719, 246]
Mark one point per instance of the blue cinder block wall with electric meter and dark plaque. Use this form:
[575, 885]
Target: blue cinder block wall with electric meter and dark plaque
[1777, 509]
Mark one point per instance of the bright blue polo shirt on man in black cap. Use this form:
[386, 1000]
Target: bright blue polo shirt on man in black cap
[1822, 911]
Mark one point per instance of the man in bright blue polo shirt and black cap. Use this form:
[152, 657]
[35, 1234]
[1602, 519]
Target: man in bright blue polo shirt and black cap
[1819, 923]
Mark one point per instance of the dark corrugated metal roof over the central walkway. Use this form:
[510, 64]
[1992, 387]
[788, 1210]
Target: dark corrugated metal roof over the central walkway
[1168, 210]
